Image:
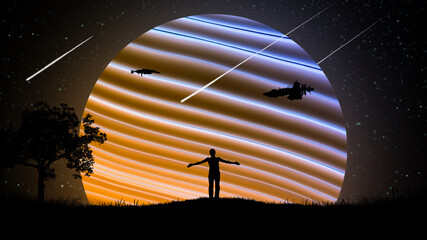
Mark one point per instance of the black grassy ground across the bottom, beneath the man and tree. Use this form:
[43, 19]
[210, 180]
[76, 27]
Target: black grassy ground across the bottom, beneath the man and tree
[230, 217]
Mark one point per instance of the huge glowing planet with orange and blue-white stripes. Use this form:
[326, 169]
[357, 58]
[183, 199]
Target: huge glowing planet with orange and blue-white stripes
[288, 150]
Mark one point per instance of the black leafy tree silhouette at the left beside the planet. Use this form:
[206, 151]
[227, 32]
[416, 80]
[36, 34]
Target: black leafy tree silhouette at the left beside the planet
[48, 134]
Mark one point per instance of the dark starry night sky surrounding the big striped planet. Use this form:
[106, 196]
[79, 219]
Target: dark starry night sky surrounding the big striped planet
[379, 78]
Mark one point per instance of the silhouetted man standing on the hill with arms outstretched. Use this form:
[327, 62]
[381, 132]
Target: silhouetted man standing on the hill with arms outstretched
[214, 174]
